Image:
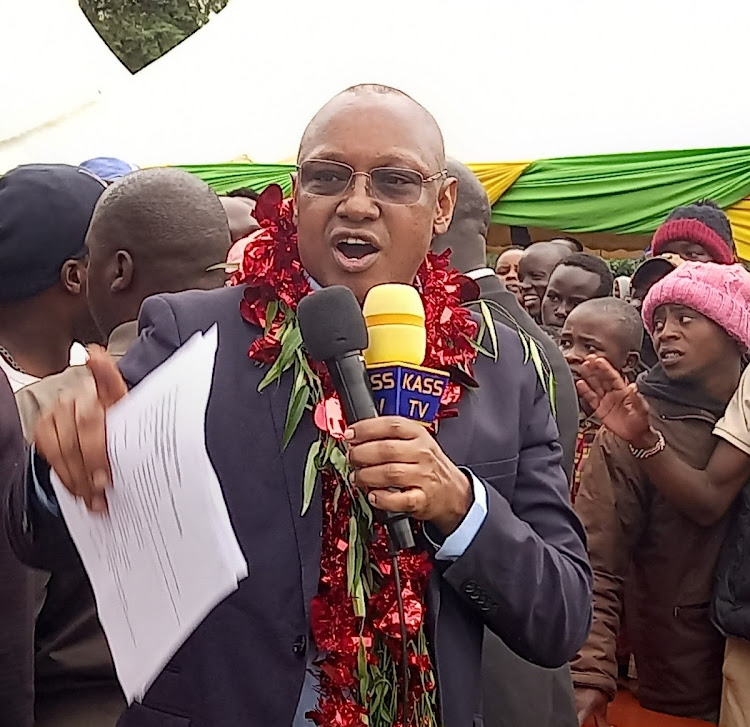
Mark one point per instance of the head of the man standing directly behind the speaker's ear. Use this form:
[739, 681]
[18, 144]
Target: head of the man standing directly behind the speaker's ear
[467, 234]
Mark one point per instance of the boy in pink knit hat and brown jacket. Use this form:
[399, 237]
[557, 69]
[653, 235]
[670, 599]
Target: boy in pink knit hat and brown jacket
[698, 319]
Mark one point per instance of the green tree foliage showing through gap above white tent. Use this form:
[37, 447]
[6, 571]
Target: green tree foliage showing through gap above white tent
[140, 31]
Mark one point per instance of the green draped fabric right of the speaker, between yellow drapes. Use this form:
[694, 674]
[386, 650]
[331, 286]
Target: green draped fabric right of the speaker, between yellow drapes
[623, 193]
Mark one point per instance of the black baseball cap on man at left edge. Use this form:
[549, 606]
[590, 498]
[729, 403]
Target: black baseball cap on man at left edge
[45, 210]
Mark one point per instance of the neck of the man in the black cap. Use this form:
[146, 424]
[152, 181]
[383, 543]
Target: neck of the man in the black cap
[38, 344]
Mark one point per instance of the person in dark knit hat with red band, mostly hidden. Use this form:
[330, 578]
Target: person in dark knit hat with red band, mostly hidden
[697, 232]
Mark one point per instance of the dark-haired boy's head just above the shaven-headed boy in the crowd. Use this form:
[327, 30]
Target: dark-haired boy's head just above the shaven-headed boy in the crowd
[574, 280]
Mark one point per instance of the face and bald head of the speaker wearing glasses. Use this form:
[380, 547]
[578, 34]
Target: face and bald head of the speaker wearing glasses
[353, 238]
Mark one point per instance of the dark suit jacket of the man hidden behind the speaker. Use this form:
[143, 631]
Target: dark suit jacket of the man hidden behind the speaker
[516, 693]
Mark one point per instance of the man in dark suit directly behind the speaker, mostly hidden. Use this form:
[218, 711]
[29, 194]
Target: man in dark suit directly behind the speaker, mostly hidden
[514, 692]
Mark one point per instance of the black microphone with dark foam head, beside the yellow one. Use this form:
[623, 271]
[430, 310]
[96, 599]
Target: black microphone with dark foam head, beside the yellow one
[334, 333]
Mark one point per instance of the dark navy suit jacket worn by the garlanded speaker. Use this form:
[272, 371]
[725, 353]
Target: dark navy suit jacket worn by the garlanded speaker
[525, 574]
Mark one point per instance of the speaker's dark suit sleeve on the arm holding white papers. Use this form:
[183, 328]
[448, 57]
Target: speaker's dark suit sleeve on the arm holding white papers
[36, 531]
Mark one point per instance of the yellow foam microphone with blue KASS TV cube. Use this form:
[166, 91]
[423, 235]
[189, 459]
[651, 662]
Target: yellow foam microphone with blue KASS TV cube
[401, 386]
